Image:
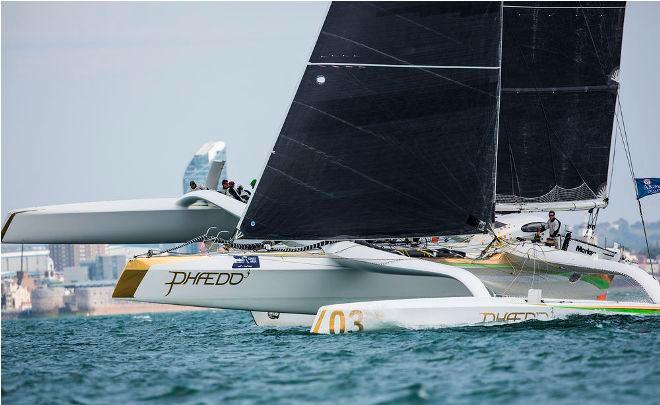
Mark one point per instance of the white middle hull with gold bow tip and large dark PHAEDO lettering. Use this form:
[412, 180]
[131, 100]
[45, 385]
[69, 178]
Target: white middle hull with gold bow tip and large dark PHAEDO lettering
[281, 283]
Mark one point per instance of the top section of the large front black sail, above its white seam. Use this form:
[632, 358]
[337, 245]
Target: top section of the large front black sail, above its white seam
[417, 33]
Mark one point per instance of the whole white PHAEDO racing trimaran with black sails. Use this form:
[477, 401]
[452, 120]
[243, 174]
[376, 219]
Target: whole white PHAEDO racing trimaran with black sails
[413, 124]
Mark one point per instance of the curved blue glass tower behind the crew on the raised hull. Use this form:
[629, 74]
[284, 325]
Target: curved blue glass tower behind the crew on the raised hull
[200, 165]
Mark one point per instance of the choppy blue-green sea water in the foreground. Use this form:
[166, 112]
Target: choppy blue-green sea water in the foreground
[222, 357]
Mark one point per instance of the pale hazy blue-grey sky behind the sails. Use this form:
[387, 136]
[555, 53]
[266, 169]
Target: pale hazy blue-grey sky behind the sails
[104, 101]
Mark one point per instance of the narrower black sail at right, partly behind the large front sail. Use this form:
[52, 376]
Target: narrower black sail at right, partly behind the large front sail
[559, 66]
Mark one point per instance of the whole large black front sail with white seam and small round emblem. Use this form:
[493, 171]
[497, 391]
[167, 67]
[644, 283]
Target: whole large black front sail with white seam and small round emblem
[392, 131]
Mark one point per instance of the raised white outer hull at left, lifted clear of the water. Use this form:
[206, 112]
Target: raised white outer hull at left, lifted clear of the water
[160, 220]
